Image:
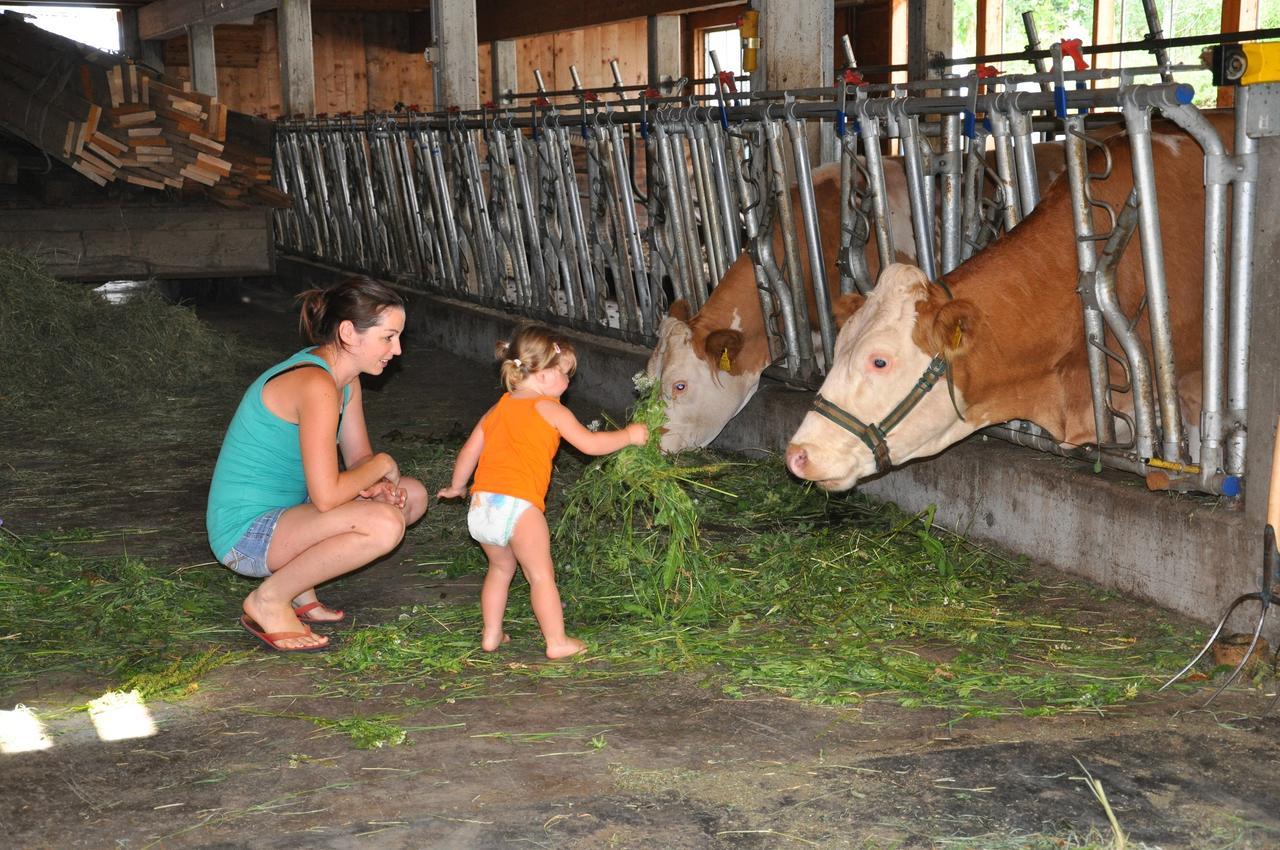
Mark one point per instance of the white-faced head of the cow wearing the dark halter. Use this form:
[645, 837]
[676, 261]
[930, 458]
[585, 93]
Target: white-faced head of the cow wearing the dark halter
[881, 354]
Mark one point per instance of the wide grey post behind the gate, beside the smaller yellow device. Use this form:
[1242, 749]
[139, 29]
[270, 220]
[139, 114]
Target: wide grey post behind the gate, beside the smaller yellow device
[798, 49]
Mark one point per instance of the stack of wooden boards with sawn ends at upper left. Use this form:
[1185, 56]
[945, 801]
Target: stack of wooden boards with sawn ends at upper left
[112, 120]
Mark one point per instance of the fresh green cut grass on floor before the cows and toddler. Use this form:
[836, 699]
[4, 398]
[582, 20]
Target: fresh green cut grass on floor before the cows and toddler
[732, 572]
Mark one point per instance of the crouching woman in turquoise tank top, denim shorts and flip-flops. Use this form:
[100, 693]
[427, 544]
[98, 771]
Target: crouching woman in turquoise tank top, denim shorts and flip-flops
[281, 509]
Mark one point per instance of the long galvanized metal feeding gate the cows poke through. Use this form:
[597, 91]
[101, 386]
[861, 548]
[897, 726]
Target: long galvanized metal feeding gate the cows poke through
[598, 212]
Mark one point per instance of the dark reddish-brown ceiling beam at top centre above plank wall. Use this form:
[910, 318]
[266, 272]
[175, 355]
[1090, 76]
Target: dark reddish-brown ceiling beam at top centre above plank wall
[519, 19]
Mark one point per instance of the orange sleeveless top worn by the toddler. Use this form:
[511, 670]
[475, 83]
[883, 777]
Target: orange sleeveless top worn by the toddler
[519, 447]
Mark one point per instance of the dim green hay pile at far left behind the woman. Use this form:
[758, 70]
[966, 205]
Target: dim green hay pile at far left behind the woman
[67, 351]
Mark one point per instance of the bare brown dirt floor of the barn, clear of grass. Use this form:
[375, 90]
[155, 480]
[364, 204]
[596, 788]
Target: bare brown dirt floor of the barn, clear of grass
[616, 762]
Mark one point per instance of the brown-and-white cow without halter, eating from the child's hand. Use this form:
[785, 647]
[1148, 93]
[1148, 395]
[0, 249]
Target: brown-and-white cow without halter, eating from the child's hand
[710, 364]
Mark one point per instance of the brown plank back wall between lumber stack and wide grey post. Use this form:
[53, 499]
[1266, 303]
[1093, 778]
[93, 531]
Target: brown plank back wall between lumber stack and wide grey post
[371, 61]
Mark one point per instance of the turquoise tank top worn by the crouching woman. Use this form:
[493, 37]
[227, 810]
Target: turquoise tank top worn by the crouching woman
[260, 465]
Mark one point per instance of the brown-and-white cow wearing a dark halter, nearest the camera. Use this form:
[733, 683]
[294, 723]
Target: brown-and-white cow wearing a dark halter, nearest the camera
[1002, 337]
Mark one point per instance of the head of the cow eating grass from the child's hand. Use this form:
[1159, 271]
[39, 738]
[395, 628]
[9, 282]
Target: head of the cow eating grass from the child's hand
[702, 380]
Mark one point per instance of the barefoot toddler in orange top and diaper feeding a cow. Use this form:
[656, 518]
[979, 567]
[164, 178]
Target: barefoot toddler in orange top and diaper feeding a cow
[511, 453]
